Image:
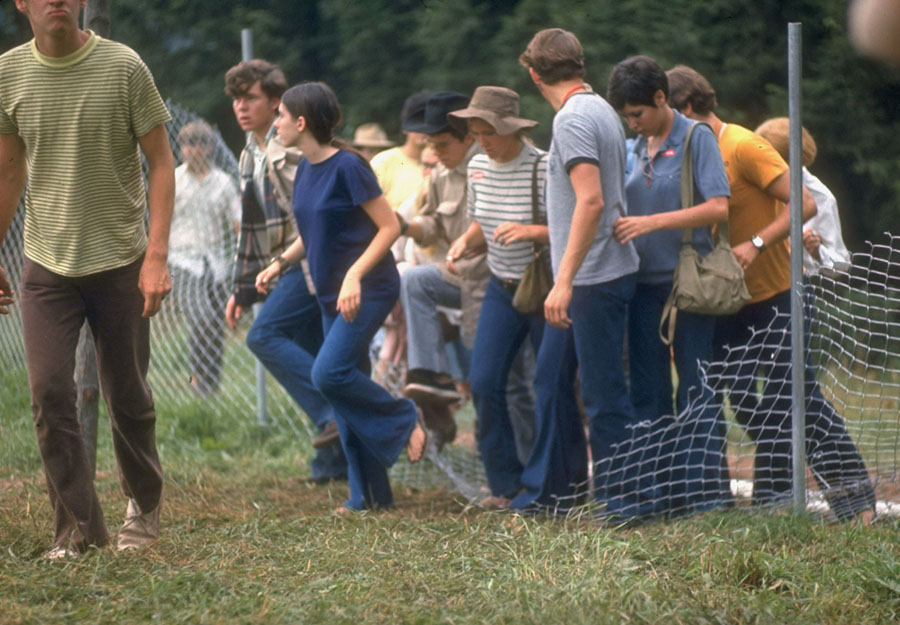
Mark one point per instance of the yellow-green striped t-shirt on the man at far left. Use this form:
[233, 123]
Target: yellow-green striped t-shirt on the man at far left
[80, 117]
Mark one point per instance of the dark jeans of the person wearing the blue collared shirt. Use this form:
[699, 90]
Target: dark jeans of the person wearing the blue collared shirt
[693, 444]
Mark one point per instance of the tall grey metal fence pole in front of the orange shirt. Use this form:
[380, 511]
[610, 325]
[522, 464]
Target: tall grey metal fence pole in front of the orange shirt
[798, 360]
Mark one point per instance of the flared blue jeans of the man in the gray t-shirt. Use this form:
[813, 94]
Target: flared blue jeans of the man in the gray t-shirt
[594, 346]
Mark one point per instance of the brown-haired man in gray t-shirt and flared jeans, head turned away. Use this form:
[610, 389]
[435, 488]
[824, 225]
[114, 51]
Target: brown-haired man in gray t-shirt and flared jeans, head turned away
[594, 277]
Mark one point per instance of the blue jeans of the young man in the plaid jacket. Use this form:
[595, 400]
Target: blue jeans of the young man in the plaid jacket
[286, 336]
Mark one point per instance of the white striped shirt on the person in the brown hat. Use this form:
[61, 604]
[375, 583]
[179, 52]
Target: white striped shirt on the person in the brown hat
[500, 192]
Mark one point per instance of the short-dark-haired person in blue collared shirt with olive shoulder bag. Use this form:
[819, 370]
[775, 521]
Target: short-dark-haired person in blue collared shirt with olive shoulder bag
[638, 88]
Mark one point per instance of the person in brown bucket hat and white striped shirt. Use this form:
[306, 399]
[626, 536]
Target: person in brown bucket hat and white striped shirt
[505, 200]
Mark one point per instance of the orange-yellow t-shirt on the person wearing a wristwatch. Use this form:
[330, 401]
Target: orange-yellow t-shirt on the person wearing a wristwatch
[752, 164]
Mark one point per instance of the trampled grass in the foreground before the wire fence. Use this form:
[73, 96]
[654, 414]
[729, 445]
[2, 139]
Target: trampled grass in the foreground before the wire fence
[246, 540]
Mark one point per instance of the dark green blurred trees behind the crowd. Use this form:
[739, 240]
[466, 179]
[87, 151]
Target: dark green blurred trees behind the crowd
[375, 53]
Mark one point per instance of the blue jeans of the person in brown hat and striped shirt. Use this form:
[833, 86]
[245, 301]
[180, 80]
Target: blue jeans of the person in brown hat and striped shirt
[501, 332]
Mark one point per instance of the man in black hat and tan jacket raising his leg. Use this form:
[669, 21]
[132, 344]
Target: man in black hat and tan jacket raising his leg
[441, 221]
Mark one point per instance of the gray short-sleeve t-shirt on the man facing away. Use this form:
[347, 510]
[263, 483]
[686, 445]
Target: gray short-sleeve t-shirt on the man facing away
[587, 129]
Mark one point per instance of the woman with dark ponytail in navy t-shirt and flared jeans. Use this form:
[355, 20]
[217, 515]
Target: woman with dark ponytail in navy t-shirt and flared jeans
[346, 229]
